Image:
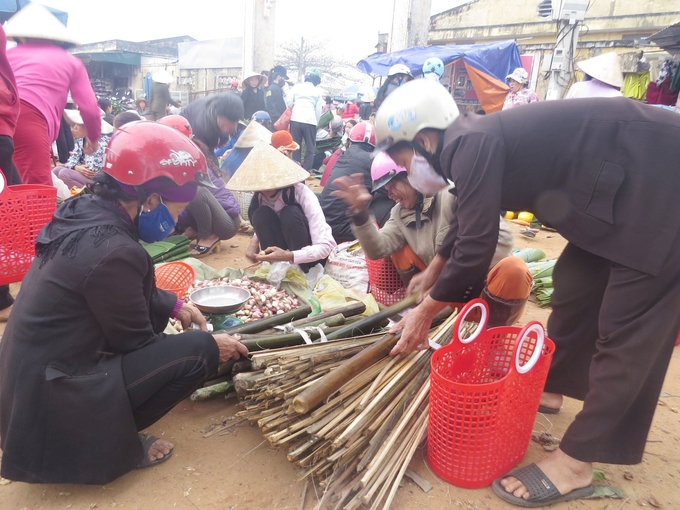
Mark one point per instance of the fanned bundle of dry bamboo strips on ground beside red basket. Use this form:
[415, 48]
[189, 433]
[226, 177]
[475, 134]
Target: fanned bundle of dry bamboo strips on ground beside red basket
[359, 440]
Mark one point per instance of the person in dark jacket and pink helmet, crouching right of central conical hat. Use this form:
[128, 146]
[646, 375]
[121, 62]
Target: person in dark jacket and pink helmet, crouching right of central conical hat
[356, 159]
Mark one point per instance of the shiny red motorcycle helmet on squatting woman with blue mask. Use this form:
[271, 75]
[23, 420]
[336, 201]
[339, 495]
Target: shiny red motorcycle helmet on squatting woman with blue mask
[141, 151]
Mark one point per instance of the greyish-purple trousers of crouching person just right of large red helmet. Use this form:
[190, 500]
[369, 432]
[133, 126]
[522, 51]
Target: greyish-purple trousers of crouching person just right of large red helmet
[207, 216]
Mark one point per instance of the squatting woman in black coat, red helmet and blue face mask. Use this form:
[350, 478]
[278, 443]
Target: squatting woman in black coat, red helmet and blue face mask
[84, 362]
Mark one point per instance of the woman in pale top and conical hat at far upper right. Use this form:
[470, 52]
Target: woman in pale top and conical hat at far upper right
[604, 78]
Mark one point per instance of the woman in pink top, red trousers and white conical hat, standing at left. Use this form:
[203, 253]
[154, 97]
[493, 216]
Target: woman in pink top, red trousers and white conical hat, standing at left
[44, 73]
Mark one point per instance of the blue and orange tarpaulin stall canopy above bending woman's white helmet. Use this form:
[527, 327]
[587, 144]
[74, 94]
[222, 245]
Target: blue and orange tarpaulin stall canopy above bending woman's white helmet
[487, 65]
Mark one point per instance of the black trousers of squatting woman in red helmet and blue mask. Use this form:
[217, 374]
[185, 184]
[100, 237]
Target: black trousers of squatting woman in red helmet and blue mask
[159, 376]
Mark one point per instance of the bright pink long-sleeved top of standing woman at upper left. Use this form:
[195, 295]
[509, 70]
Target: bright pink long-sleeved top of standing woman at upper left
[44, 74]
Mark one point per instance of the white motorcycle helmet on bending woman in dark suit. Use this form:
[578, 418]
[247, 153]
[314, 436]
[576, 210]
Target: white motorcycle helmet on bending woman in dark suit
[416, 105]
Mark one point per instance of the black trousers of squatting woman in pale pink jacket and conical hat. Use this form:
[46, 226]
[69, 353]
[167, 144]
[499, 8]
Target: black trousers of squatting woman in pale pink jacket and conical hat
[287, 230]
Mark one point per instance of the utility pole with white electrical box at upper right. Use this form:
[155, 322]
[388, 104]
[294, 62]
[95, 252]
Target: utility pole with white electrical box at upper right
[568, 14]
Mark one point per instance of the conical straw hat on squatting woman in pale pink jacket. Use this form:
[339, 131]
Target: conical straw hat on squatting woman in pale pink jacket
[266, 168]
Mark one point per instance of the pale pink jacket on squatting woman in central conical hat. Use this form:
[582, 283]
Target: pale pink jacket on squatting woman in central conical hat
[322, 236]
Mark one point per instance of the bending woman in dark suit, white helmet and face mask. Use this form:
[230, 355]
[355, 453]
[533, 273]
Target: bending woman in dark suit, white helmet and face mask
[611, 190]
